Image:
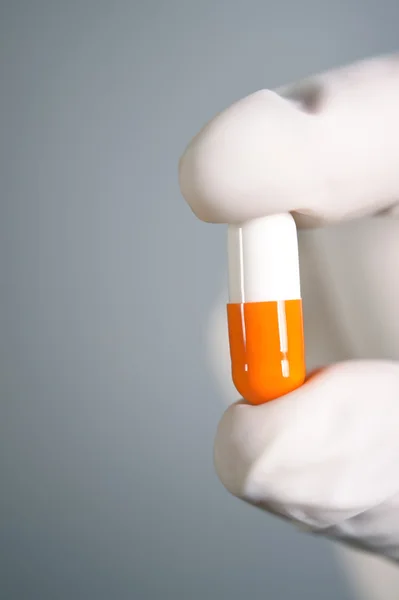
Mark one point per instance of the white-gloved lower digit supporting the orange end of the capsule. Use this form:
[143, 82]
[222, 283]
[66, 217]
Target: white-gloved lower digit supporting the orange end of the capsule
[325, 456]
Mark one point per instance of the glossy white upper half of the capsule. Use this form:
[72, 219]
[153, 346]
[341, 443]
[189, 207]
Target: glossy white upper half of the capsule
[263, 260]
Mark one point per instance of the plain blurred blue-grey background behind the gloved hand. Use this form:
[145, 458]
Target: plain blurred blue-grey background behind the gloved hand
[108, 411]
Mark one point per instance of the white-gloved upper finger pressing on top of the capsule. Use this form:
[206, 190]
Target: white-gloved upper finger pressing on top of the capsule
[326, 149]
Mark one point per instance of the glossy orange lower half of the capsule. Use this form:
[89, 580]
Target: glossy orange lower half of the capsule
[267, 348]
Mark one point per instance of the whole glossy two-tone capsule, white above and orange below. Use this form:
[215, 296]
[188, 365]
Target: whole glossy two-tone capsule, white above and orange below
[264, 314]
